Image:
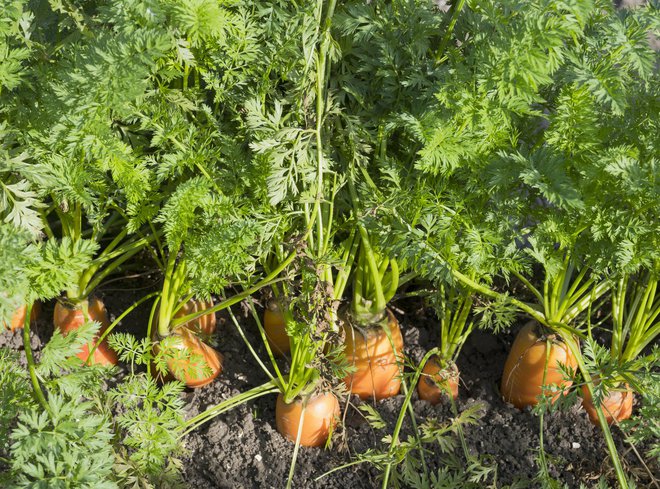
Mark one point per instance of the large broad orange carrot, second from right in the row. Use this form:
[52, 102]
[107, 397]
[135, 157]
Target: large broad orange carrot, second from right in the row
[522, 379]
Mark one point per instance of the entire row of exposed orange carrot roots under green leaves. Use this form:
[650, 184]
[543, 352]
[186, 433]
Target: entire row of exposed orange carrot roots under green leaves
[532, 369]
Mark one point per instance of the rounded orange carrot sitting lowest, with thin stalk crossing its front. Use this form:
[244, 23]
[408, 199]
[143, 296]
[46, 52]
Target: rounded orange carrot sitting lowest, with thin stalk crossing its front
[320, 417]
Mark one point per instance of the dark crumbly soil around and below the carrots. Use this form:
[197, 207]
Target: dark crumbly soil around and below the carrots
[242, 449]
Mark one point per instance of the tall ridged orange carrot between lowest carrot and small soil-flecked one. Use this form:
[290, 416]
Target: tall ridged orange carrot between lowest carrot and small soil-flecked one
[372, 354]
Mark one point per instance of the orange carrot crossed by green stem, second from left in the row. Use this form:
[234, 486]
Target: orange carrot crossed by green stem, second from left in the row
[68, 319]
